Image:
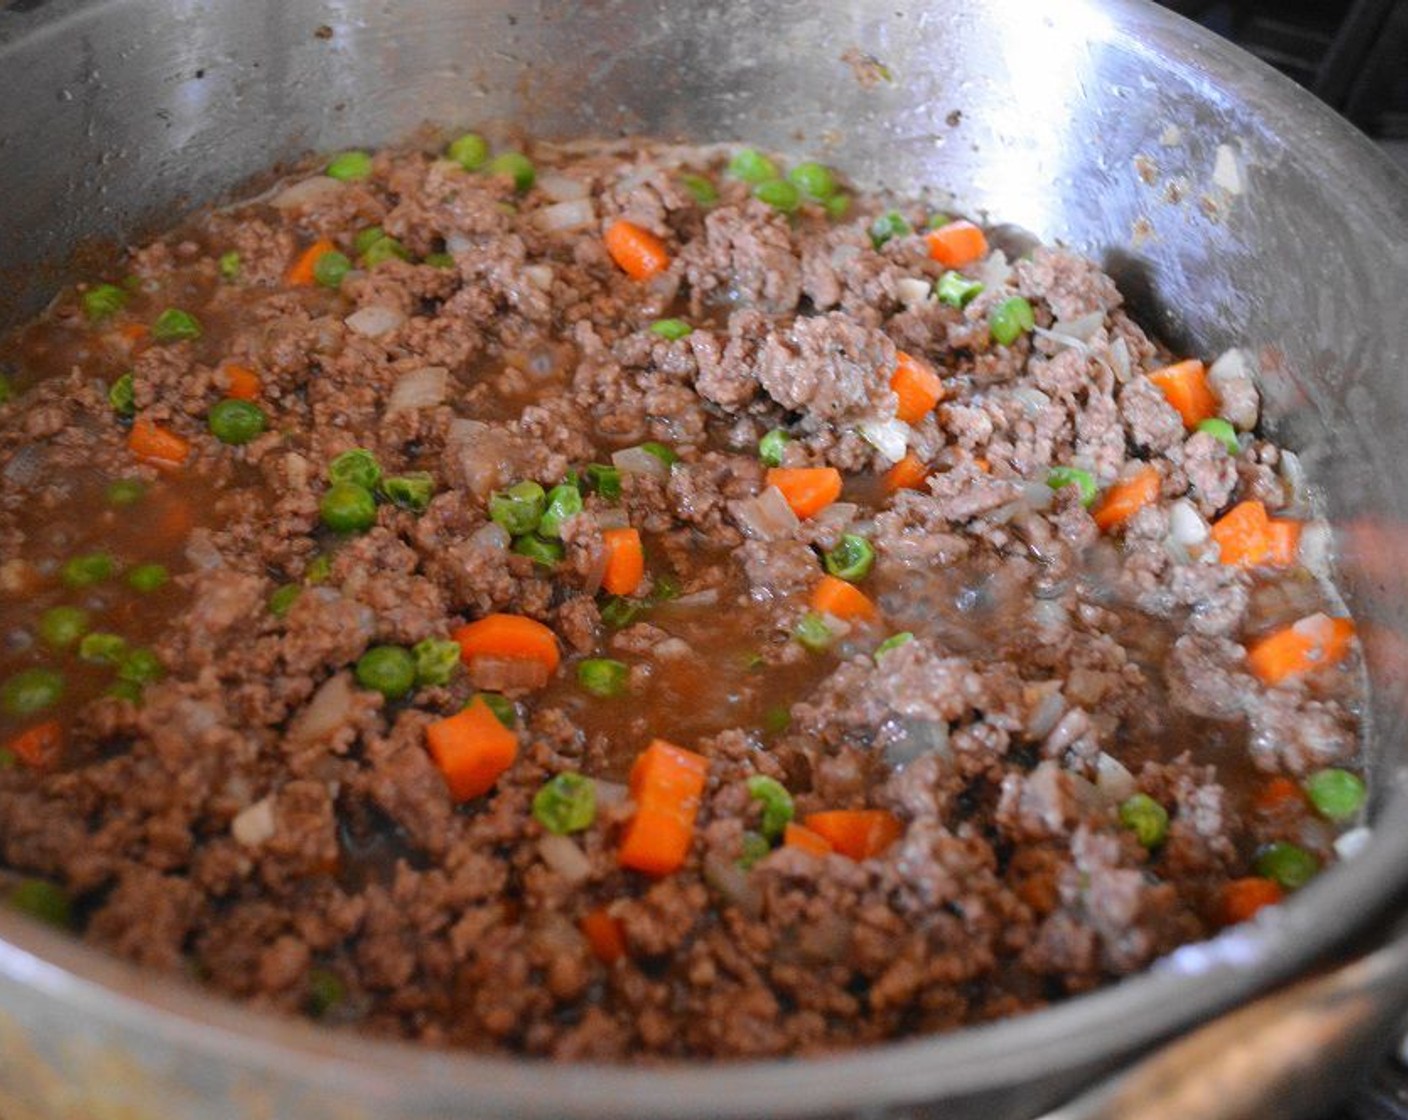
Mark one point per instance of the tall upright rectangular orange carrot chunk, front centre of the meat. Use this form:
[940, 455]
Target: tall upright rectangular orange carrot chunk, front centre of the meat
[667, 785]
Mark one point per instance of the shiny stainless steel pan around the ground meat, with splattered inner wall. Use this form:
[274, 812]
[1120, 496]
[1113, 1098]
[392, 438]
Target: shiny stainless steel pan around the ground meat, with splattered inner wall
[1231, 208]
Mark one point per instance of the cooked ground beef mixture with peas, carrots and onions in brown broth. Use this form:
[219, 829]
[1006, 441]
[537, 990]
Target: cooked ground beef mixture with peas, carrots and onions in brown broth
[647, 604]
